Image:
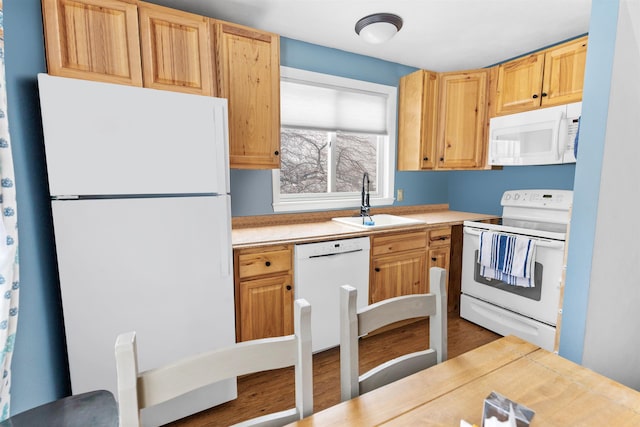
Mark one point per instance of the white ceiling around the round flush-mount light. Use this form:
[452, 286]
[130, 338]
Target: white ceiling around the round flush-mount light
[437, 35]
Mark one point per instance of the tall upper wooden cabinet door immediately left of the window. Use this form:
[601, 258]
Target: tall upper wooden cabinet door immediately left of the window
[248, 64]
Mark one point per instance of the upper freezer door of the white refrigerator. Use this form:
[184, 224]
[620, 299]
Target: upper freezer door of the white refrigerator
[109, 139]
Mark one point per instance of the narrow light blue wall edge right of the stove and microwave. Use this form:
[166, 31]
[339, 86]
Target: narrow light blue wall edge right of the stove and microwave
[593, 126]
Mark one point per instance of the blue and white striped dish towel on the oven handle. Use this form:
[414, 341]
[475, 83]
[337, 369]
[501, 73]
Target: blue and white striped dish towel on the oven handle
[507, 258]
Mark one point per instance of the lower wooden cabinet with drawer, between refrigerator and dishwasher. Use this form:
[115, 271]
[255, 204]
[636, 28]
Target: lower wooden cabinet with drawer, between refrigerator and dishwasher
[264, 292]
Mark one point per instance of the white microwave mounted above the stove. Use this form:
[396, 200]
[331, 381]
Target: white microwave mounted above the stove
[545, 136]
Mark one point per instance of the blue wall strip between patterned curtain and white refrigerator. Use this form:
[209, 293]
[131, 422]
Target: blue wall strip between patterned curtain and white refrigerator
[39, 370]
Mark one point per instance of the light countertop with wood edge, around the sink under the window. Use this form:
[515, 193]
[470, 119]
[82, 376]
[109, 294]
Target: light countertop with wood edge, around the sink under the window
[326, 229]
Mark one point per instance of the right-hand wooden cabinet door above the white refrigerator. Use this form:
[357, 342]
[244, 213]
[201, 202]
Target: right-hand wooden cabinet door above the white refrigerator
[176, 50]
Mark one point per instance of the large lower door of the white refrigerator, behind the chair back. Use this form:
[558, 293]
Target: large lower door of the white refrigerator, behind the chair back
[159, 266]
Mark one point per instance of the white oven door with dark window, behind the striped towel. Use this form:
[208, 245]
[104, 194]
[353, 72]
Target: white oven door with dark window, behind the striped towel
[540, 302]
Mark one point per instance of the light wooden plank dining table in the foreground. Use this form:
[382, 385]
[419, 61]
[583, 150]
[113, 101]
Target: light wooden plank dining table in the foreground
[560, 392]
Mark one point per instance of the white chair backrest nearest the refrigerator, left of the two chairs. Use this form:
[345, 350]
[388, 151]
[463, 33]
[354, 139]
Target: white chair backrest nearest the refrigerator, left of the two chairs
[138, 390]
